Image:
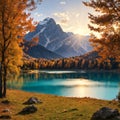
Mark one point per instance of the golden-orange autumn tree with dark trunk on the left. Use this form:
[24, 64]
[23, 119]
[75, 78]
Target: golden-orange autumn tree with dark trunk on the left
[15, 21]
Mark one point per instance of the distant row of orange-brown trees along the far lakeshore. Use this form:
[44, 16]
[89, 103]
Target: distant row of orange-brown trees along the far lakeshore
[80, 62]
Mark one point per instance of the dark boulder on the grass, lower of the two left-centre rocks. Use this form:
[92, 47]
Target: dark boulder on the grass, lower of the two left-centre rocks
[28, 110]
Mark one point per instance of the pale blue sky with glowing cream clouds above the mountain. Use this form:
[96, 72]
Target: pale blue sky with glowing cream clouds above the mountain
[72, 15]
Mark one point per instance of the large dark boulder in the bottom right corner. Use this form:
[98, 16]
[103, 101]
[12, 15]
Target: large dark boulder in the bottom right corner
[106, 113]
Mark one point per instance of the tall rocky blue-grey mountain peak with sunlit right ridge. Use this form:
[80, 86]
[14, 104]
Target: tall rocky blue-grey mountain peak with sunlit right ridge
[52, 37]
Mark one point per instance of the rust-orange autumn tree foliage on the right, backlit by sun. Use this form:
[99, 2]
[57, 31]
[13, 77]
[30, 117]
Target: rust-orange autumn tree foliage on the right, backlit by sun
[107, 23]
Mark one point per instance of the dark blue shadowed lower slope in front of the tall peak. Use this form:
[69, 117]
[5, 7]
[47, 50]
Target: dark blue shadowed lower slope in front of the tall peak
[38, 51]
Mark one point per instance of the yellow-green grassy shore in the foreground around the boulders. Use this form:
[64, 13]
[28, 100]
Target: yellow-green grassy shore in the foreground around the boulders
[54, 107]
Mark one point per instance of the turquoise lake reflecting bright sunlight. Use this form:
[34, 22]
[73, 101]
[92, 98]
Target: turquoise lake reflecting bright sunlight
[101, 85]
